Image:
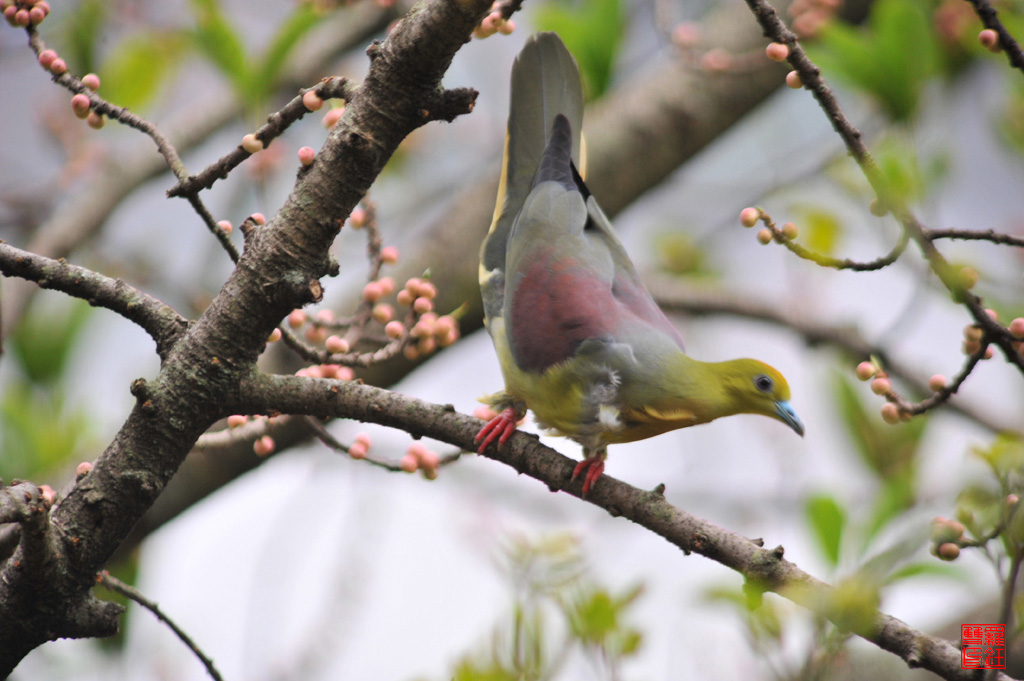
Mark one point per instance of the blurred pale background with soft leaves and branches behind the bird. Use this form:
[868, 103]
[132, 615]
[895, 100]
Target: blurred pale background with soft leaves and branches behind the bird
[309, 565]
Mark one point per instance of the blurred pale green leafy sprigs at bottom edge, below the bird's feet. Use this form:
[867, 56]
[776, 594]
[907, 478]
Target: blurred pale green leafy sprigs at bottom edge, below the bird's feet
[559, 611]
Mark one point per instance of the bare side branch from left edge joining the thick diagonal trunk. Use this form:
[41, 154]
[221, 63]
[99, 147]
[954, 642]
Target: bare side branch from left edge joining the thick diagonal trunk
[156, 318]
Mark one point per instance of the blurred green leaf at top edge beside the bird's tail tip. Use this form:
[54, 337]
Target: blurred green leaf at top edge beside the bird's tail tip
[592, 30]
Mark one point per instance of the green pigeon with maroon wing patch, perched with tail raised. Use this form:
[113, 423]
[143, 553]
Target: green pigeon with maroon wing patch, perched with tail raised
[581, 343]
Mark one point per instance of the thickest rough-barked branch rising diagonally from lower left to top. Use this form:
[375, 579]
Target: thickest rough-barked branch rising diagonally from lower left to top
[201, 375]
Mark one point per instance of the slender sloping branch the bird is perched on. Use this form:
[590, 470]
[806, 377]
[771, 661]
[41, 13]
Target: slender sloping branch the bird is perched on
[766, 569]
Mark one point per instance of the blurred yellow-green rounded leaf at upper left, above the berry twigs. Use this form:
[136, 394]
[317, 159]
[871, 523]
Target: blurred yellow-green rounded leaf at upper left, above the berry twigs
[138, 67]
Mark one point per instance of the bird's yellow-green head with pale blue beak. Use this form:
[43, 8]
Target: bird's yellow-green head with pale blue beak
[754, 388]
